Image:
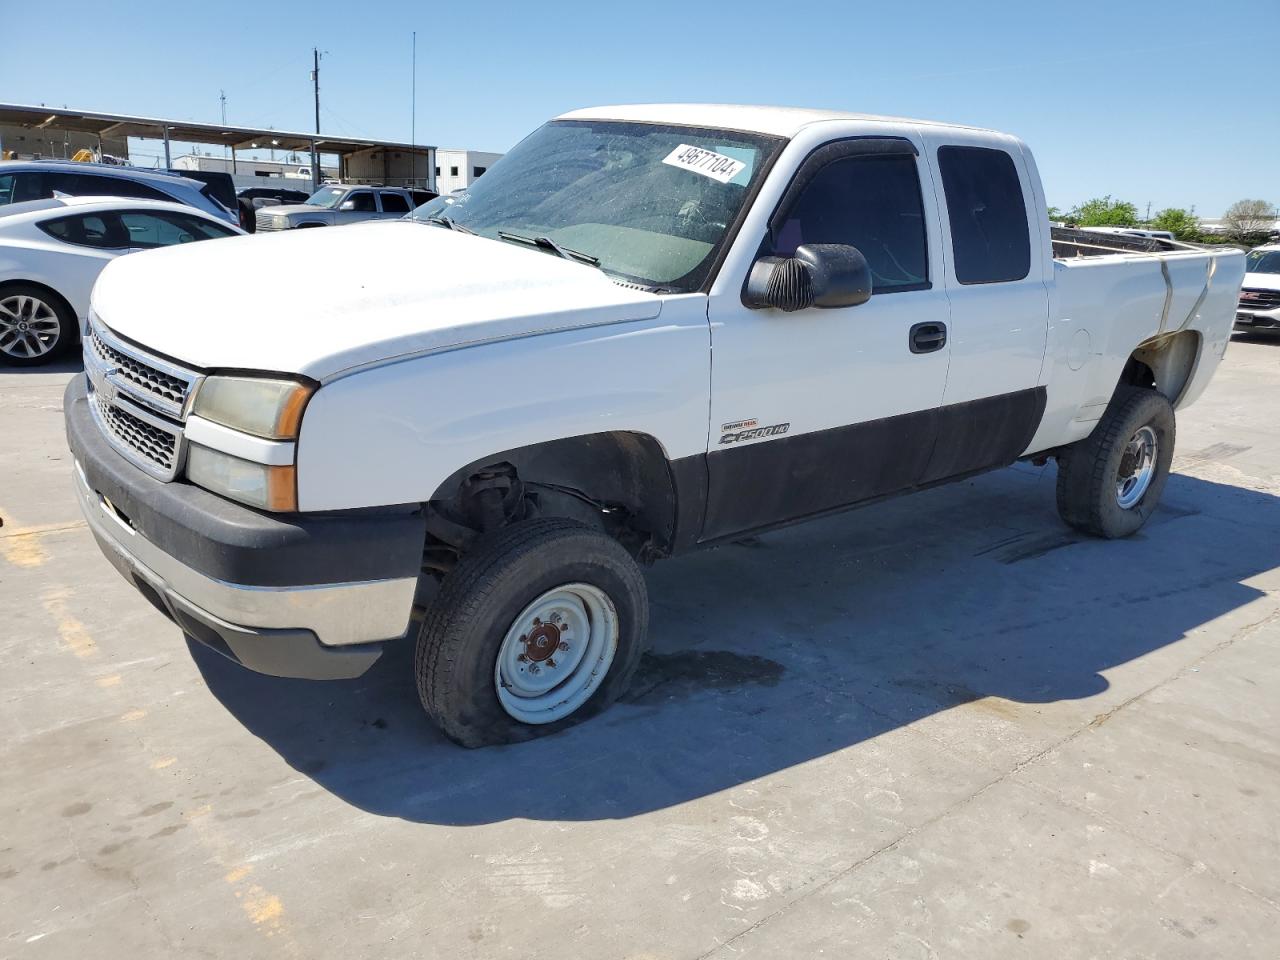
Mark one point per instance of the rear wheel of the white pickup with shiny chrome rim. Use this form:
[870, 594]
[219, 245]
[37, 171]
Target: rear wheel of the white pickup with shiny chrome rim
[1092, 496]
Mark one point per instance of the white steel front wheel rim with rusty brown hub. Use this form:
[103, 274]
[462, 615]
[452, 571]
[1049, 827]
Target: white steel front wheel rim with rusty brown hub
[556, 653]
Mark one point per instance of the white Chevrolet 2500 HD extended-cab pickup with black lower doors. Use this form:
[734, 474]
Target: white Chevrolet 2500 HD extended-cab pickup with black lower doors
[647, 330]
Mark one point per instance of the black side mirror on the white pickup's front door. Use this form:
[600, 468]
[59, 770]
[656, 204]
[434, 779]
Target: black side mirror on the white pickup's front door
[819, 276]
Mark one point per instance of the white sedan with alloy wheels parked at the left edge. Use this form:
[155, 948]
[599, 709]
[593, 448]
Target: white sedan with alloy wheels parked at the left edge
[52, 253]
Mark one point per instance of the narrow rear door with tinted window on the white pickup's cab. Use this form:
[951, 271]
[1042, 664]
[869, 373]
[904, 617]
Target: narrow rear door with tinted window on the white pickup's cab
[995, 277]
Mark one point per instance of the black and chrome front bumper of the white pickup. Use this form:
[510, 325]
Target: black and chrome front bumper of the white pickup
[301, 596]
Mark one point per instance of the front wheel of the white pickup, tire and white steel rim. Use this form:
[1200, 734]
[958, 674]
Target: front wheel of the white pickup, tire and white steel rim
[486, 607]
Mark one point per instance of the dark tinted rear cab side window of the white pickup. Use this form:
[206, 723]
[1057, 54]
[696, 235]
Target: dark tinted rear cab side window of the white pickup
[990, 234]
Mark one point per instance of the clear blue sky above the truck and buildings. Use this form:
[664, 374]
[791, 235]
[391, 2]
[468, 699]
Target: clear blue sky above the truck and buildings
[1164, 102]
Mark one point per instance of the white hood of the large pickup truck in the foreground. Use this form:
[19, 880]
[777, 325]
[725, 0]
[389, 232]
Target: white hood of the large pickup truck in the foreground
[319, 303]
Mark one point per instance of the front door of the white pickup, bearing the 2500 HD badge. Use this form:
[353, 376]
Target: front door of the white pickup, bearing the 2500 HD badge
[820, 409]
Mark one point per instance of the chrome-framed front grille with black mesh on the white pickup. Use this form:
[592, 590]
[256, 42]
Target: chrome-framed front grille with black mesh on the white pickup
[139, 400]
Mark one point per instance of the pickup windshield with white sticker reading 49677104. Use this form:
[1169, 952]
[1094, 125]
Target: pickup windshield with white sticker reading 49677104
[653, 204]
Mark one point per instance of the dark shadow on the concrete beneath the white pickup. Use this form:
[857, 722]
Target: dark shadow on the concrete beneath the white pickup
[789, 647]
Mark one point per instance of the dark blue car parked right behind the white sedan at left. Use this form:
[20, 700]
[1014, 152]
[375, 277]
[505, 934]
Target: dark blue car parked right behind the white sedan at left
[36, 180]
